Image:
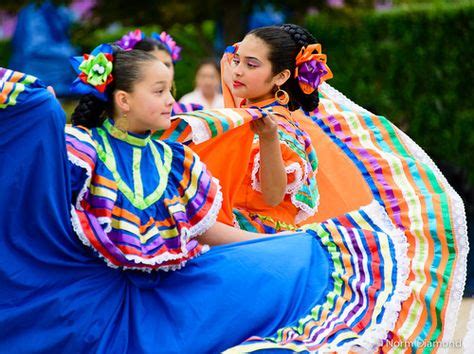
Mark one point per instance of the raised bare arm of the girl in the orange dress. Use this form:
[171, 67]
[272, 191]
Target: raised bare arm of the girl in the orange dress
[272, 169]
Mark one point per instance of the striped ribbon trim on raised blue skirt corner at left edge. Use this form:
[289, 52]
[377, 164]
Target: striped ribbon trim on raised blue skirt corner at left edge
[12, 83]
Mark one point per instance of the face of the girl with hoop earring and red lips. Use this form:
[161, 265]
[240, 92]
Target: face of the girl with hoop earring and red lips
[252, 71]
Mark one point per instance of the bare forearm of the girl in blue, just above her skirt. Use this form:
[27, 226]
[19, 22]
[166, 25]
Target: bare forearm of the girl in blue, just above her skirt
[220, 234]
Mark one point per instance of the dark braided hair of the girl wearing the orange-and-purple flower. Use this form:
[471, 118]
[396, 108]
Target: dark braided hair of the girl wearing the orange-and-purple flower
[285, 42]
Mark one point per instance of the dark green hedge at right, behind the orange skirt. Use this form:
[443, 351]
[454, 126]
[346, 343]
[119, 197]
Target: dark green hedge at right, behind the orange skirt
[413, 64]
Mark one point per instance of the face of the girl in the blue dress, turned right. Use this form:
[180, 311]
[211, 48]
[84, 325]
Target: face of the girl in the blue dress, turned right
[149, 104]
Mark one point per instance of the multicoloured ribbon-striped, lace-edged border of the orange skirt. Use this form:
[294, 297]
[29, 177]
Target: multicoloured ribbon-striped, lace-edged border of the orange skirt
[419, 201]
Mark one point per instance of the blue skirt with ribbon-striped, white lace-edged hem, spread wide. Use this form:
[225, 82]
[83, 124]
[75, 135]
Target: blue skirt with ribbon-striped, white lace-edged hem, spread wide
[337, 285]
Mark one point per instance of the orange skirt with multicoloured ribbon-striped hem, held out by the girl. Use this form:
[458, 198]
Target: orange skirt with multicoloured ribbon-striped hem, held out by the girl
[366, 167]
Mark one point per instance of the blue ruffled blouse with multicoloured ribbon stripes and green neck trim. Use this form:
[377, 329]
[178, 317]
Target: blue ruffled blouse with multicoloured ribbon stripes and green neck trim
[133, 217]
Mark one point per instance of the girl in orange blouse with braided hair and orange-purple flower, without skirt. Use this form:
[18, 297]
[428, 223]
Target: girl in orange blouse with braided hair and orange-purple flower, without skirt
[272, 69]
